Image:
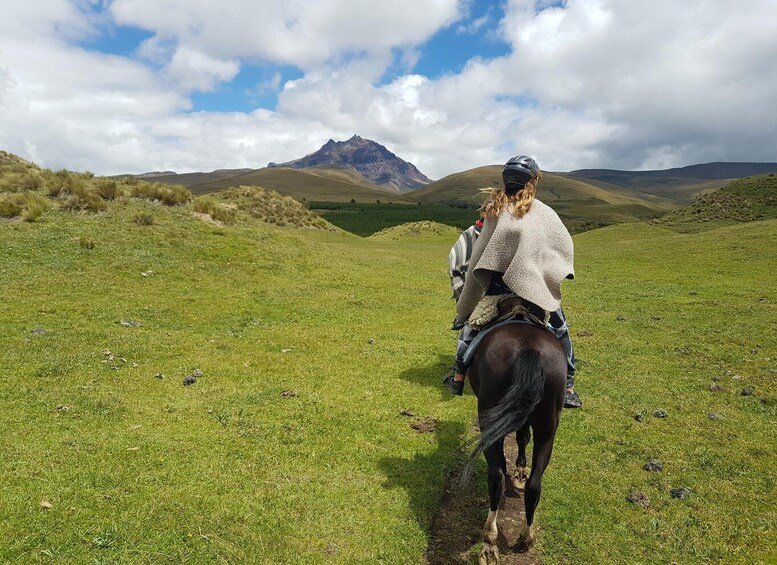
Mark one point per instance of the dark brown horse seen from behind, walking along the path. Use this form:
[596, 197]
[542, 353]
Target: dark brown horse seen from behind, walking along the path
[519, 377]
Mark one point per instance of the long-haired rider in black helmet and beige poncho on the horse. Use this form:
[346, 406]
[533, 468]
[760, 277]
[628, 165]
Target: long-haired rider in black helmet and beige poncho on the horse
[525, 250]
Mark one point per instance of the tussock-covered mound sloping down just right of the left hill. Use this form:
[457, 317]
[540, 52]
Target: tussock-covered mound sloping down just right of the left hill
[271, 207]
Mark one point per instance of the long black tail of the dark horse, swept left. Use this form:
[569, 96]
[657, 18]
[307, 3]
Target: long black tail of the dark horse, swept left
[513, 410]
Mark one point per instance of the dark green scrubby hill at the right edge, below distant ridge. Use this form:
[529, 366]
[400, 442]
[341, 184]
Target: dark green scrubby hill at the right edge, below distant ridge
[744, 200]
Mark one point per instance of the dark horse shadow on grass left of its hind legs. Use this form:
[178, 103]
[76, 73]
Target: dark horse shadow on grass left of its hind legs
[453, 516]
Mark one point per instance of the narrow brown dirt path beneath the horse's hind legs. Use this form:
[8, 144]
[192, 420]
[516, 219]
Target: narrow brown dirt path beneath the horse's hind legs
[458, 524]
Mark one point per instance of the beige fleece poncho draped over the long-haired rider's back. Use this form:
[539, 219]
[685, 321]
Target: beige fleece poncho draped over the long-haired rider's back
[534, 253]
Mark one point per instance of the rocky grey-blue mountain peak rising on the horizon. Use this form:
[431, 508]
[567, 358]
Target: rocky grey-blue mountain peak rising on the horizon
[372, 160]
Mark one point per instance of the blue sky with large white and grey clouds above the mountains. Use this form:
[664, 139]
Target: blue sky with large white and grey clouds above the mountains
[129, 86]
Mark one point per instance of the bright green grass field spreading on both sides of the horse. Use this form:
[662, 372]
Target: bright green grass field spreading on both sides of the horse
[290, 448]
